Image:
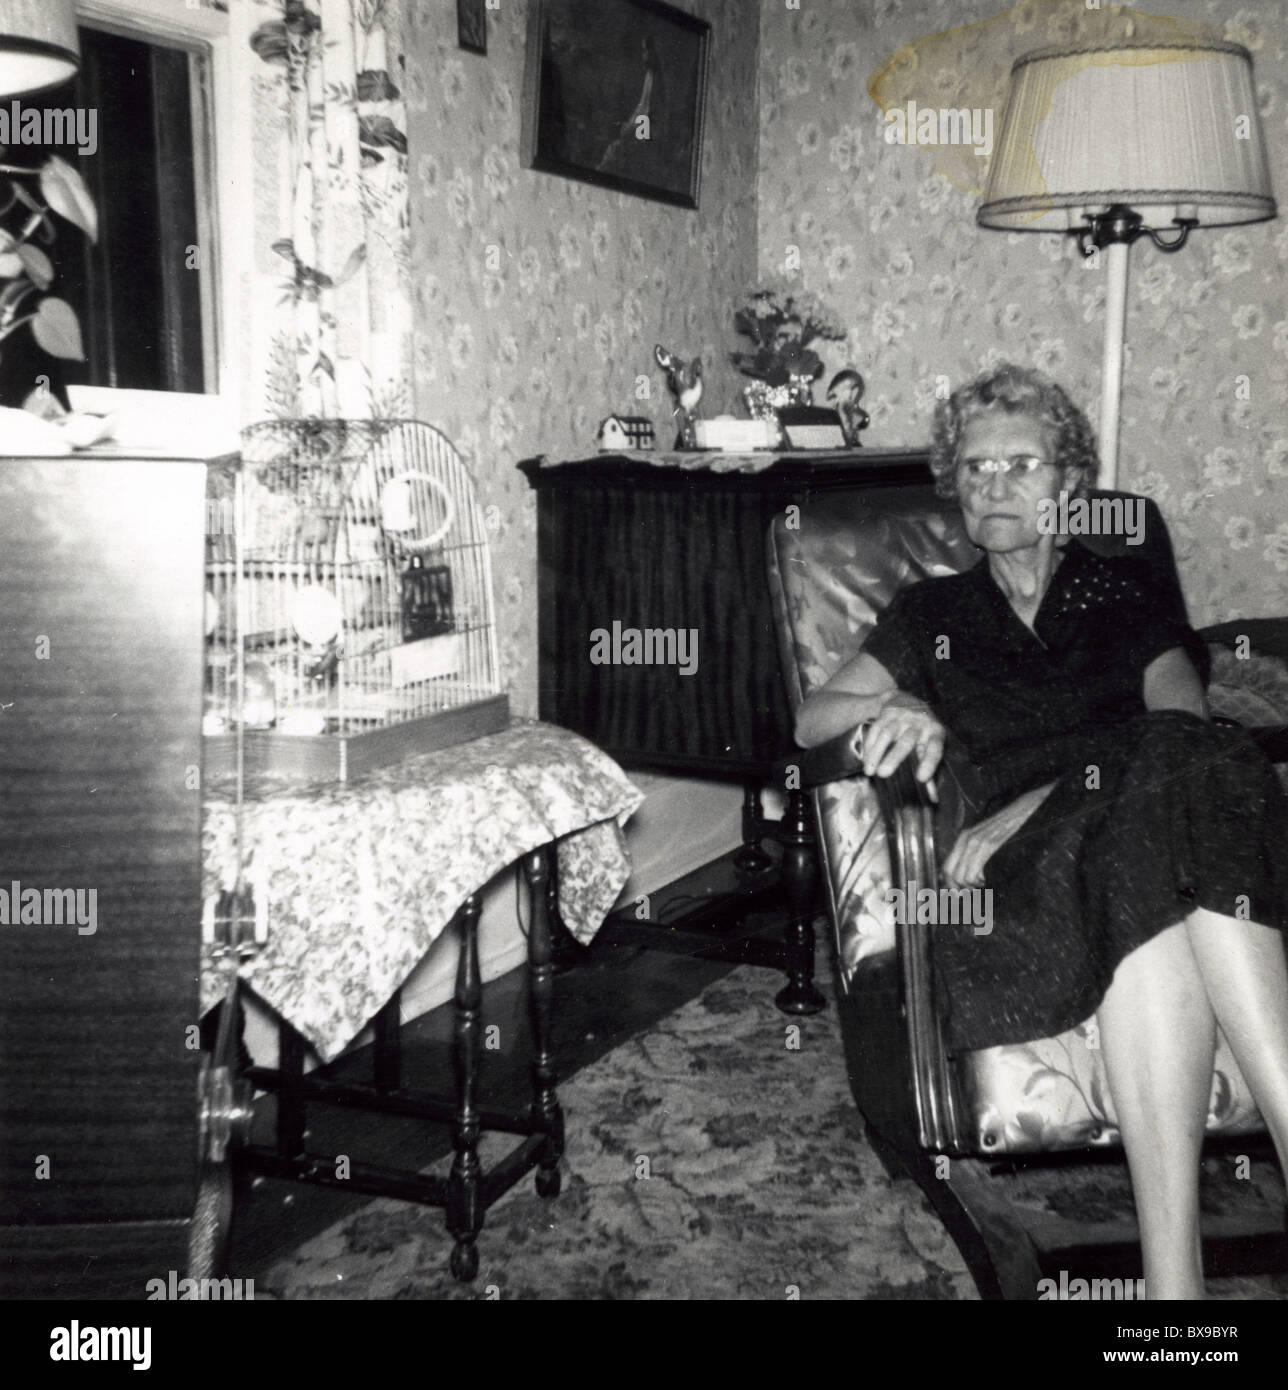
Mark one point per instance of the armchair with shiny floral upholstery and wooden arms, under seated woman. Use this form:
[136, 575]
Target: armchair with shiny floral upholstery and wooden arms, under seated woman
[955, 1124]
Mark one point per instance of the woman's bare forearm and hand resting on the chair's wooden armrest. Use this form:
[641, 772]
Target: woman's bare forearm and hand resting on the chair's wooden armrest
[864, 692]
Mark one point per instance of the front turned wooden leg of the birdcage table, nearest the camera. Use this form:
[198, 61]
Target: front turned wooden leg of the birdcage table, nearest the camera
[465, 1218]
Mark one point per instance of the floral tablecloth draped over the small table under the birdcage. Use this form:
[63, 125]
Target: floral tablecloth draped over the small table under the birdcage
[356, 881]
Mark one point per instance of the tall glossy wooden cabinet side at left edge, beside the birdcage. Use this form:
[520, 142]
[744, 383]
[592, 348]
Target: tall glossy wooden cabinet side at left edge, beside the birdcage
[101, 722]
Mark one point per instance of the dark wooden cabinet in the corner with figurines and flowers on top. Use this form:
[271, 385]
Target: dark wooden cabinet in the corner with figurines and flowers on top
[677, 543]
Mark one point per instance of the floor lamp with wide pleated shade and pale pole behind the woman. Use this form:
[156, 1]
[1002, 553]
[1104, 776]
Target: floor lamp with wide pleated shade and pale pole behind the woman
[1115, 142]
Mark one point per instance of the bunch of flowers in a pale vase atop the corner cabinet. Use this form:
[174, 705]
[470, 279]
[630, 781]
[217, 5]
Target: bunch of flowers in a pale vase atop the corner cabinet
[782, 325]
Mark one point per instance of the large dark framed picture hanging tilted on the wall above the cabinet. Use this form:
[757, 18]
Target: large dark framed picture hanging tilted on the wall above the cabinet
[615, 95]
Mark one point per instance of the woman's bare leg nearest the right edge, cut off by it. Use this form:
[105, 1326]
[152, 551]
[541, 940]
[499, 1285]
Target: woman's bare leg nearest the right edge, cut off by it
[1246, 974]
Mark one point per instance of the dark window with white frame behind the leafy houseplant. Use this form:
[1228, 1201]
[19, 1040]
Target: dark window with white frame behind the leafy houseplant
[137, 124]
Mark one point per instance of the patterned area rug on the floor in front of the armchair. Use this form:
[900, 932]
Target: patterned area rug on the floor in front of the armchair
[718, 1156]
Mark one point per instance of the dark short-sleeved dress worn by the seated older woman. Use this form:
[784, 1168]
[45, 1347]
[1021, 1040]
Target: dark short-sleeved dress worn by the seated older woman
[1153, 812]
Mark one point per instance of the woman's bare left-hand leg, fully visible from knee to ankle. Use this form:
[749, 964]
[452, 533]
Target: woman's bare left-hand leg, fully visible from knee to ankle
[1159, 1038]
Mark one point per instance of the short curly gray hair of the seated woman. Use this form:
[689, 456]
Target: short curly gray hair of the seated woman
[1016, 390]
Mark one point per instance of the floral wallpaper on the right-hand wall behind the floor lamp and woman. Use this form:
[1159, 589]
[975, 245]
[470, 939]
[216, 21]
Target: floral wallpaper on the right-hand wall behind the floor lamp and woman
[886, 236]
